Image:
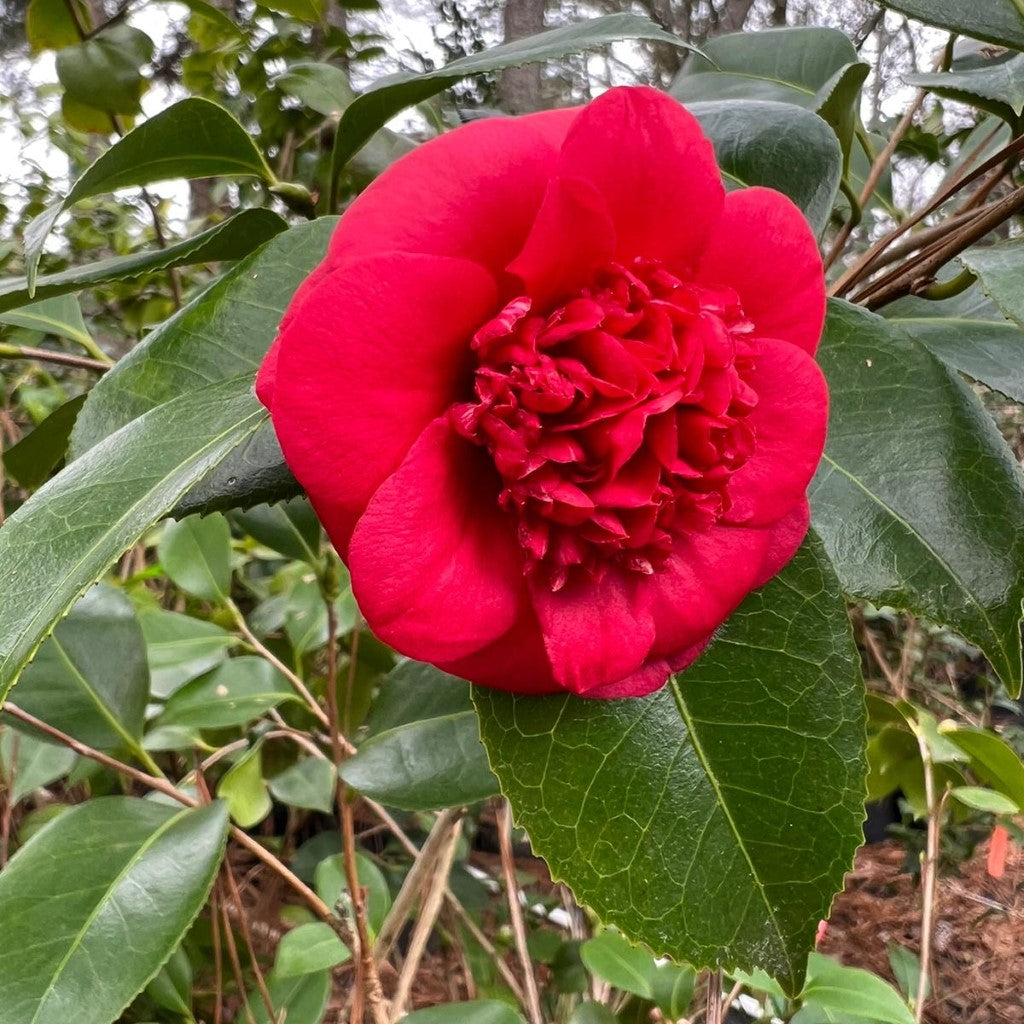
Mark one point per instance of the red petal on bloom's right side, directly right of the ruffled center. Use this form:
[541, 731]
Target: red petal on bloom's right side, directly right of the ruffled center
[790, 422]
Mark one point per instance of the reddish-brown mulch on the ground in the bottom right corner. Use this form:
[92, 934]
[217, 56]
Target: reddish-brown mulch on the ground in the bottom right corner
[978, 963]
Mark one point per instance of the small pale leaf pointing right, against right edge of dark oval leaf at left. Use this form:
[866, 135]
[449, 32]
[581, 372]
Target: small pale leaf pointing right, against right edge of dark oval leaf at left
[180, 649]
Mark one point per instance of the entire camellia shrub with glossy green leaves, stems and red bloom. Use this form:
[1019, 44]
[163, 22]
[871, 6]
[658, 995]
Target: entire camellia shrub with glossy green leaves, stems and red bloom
[609, 413]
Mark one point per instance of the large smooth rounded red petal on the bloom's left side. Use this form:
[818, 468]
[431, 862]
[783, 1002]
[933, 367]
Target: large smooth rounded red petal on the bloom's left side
[377, 350]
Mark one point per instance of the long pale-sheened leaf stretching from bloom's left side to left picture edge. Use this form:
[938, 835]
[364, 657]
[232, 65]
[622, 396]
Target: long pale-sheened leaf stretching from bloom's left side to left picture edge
[65, 537]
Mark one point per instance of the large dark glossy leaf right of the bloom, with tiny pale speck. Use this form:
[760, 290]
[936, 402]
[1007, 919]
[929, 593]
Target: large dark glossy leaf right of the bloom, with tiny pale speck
[918, 498]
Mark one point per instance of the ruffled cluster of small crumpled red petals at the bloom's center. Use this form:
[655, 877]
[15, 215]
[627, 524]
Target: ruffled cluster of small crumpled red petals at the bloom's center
[616, 422]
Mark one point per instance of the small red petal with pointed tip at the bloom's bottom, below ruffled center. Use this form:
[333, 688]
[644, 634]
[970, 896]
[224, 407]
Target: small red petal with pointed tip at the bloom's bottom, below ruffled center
[594, 632]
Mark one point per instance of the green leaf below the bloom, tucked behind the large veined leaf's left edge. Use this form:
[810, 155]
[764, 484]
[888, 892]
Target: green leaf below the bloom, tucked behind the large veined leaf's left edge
[435, 762]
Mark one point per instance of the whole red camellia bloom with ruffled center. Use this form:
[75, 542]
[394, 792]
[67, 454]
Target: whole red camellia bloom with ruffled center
[553, 397]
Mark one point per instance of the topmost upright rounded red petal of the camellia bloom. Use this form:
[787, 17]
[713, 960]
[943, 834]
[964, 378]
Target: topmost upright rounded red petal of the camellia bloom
[647, 155]
